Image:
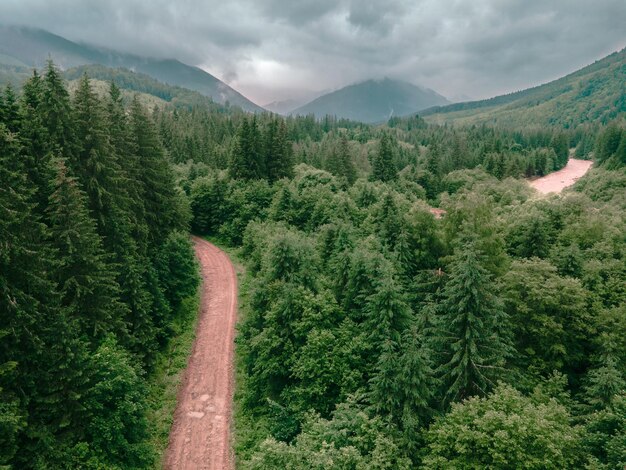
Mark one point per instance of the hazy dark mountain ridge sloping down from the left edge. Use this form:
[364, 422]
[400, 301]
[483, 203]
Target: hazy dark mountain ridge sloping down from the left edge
[28, 47]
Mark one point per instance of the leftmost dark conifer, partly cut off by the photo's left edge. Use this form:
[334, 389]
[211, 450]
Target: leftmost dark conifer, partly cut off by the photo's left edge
[49, 373]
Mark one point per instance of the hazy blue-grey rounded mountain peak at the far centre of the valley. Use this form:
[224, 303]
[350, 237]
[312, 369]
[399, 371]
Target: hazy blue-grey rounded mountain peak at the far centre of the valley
[373, 101]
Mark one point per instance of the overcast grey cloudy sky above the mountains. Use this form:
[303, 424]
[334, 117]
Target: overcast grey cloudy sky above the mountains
[278, 49]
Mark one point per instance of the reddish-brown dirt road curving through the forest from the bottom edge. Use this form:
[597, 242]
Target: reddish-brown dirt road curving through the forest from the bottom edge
[200, 434]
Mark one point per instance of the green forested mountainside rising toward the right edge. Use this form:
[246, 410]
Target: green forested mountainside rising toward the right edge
[592, 94]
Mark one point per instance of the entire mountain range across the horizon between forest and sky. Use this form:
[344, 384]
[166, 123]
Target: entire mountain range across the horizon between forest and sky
[592, 94]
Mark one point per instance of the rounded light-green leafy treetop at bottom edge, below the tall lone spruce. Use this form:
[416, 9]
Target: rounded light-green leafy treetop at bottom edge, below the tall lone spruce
[504, 430]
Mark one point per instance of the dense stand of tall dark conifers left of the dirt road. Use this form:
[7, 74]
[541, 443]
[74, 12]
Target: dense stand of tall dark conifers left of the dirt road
[94, 264]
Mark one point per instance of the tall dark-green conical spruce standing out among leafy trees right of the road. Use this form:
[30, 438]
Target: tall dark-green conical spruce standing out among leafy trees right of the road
[471, 329]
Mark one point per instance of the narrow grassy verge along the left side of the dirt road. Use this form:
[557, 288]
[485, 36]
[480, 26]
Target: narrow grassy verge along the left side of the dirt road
[165, 381]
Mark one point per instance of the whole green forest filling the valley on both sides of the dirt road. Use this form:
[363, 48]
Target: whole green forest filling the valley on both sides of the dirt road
[372, 334]
